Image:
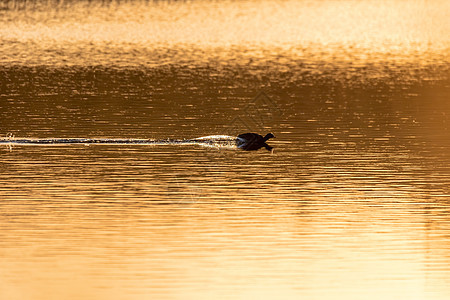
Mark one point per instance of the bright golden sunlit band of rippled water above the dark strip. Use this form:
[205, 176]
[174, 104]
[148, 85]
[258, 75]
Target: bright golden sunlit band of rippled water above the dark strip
[154, 33]
